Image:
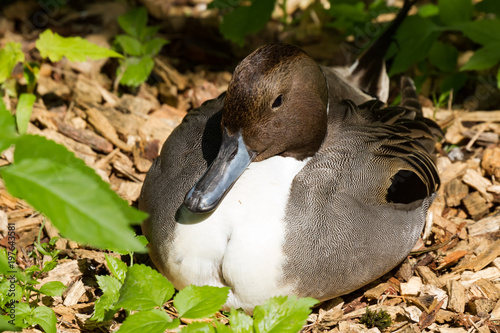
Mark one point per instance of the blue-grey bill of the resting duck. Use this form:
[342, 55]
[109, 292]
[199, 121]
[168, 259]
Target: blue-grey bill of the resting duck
[230, 163]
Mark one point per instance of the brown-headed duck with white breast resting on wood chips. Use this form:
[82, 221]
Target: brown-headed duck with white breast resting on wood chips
[295, 181]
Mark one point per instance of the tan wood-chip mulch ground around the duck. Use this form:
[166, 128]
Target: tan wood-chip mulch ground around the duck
[450, 282]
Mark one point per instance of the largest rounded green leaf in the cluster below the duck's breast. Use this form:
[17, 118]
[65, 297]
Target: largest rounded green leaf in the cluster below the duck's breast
[144, 289]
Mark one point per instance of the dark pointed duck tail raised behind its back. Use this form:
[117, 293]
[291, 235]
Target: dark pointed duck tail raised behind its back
[369, 71]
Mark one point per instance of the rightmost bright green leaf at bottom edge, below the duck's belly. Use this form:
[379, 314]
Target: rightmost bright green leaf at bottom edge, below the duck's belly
[282, 314]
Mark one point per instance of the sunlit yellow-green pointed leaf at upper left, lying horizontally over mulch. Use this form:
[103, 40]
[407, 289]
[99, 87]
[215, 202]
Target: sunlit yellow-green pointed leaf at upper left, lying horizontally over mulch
[54, 47]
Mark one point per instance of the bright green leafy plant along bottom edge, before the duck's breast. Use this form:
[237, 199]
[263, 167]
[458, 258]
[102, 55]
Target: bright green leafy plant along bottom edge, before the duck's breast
[142, 289]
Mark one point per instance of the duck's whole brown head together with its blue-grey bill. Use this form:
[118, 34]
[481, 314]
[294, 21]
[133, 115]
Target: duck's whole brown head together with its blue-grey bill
[276, 104]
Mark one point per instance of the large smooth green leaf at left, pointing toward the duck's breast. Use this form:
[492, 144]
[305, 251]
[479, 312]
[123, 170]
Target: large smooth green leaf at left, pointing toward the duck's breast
[78, 202]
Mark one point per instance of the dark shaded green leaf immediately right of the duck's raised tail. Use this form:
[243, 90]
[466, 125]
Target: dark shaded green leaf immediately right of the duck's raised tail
[415, 38]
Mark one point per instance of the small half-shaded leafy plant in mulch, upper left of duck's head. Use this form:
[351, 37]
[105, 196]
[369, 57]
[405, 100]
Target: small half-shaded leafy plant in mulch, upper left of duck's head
[139, 47]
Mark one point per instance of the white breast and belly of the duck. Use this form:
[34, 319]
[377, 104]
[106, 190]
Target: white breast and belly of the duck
[240, 244]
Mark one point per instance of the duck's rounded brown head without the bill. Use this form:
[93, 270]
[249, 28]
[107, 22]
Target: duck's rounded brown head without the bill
[277, 98]
